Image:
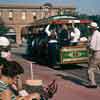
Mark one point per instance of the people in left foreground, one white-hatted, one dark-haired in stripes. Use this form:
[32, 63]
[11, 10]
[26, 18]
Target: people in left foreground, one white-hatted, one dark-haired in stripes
[10, 72]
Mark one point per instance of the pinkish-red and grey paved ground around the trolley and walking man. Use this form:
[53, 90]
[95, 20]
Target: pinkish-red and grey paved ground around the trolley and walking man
[70, 80]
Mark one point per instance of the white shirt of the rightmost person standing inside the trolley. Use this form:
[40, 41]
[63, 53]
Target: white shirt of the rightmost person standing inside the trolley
[75, 35]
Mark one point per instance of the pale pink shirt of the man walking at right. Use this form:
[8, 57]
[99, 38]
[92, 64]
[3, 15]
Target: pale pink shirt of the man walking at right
[95, 40]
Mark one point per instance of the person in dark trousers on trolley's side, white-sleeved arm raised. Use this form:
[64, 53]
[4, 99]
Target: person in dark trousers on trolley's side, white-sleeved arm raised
[52, 46]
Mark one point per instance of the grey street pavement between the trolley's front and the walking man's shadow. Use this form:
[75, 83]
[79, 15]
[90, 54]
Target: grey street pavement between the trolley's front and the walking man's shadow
[80, 72]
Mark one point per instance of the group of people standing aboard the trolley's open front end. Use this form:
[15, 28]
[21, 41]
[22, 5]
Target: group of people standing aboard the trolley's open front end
[64, 35]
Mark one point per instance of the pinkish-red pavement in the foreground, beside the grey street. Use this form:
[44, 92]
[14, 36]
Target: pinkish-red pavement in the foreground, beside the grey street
[67, 90]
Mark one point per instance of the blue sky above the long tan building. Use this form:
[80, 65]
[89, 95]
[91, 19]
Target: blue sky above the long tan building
[83, 6]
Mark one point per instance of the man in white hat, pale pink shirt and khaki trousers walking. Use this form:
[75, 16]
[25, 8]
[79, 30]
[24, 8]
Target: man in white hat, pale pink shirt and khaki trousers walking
[94, 61]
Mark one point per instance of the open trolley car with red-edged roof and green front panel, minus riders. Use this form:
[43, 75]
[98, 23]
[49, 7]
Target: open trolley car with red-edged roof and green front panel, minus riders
[66, 54]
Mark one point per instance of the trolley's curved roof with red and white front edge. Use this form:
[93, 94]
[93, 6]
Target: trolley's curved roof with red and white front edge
[59, 20]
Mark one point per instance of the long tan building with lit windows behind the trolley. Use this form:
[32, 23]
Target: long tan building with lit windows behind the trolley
[19, 16]
